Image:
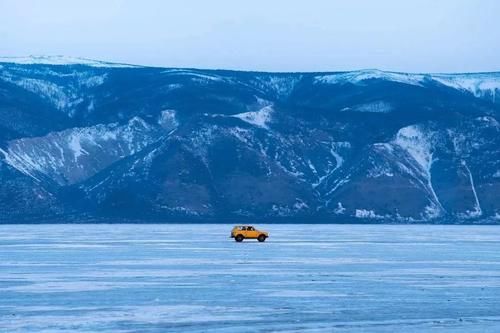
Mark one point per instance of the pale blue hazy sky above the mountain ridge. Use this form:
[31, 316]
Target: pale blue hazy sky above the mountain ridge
[269, 35]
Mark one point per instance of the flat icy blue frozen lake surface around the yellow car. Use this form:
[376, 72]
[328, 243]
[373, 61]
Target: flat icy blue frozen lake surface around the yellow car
[305, 278]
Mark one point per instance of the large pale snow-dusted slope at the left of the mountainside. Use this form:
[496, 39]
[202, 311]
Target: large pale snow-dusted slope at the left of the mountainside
[73, 155]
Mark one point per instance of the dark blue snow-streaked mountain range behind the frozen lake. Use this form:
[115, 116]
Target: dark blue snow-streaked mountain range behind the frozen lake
[83, 140]
